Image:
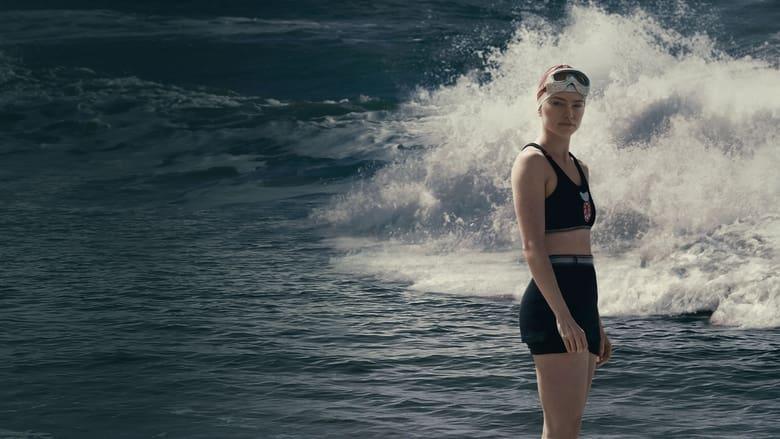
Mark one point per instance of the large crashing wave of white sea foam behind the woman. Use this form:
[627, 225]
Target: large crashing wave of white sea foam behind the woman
[682, 144]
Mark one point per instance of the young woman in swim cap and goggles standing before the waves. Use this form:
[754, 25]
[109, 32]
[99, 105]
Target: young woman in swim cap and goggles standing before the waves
[559, 317]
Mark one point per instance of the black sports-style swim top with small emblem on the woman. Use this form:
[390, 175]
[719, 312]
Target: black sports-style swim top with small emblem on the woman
[569, 207]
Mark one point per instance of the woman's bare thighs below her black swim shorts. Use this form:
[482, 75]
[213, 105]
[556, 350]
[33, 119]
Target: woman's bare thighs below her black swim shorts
[564, 381]
